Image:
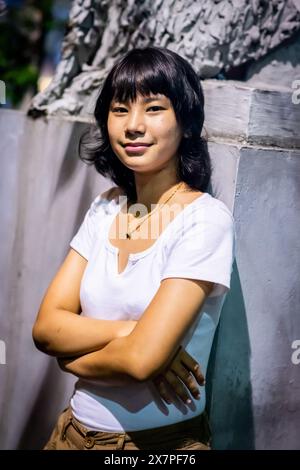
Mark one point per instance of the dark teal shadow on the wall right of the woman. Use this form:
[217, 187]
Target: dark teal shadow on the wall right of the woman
[229, 392]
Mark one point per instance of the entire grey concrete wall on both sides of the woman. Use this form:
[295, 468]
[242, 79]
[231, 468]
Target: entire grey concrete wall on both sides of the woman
[45, 190]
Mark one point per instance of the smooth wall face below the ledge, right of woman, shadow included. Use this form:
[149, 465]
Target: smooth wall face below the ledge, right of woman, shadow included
[255, 386]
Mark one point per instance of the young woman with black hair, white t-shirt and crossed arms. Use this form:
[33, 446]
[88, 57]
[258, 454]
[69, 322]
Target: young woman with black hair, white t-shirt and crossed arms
[148, 269]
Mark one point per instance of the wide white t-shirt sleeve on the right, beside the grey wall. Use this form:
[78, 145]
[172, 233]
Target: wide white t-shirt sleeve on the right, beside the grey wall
[204, 250]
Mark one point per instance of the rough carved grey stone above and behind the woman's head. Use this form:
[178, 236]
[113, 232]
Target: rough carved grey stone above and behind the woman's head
[215, 36]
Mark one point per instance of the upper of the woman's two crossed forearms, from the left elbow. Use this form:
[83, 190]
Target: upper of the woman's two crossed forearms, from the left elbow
[66, 334]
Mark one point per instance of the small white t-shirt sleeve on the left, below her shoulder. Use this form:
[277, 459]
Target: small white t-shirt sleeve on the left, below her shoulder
[85, 237]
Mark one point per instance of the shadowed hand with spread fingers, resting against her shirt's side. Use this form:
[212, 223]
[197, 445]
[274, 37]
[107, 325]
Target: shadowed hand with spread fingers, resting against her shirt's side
[182, 375]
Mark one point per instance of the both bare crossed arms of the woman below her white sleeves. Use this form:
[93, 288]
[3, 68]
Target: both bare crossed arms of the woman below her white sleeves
[118, 350]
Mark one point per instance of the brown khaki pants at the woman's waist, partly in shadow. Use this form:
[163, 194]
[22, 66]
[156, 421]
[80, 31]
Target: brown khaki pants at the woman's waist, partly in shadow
[70, 434]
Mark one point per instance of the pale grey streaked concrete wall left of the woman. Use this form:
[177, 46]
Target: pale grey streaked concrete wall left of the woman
[44, 192]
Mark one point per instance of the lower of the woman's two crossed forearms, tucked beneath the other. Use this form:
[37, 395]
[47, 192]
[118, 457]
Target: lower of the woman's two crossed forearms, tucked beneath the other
[114, 364]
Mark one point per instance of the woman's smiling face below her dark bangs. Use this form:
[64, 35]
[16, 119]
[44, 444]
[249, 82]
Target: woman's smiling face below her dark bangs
[144, 134]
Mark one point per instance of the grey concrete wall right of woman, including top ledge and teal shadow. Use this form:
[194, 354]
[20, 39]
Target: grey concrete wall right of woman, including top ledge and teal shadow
[254, 385]
